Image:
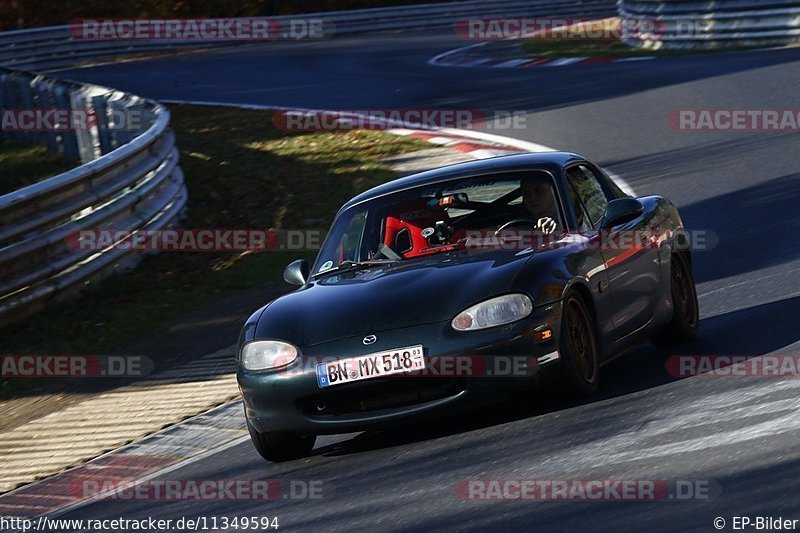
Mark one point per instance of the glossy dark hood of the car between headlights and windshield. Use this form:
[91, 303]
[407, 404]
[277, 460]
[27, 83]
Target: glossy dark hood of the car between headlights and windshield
[380, 298]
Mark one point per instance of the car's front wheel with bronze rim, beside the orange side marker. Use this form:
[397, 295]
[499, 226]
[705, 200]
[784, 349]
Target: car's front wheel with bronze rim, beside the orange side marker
[579, 349]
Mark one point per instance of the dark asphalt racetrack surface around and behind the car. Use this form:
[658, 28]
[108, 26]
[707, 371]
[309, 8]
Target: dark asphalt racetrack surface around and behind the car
[737, 435]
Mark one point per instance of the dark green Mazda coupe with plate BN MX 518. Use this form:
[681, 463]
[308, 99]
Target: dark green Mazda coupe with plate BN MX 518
[457, 286]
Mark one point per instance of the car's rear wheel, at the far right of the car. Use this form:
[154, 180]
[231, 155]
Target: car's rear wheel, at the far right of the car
[686, 312]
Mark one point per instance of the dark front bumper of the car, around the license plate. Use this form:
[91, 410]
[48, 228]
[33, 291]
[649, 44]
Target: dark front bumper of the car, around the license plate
[465, 369]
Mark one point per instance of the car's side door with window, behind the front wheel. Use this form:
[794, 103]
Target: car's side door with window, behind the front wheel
[632, 268]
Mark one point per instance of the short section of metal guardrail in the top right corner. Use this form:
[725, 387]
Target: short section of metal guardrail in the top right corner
[718, 24]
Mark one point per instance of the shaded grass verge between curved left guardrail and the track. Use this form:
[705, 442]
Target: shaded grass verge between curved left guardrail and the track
[241, 172]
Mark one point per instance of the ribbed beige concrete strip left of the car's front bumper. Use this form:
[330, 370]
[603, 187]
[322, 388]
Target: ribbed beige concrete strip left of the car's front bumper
[105, 421]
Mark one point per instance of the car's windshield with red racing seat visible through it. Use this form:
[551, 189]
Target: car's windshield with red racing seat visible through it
[439, 218]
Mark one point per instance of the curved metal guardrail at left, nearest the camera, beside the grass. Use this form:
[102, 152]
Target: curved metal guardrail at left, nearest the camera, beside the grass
[130, 181]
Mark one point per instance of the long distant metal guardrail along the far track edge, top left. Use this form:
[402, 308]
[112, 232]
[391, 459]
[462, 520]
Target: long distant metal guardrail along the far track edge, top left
[54, 47]
